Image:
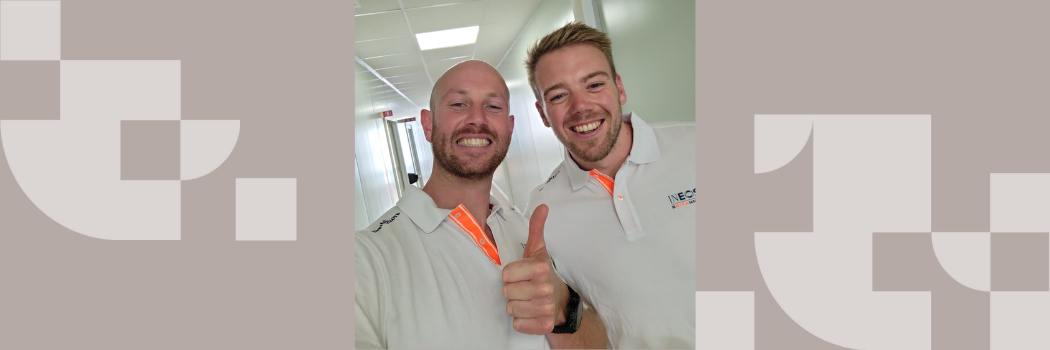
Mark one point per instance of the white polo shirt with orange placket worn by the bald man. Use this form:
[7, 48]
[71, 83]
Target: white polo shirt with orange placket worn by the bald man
[429, 278]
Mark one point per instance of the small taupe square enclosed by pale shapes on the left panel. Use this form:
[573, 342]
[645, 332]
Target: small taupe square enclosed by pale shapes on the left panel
[151, 150]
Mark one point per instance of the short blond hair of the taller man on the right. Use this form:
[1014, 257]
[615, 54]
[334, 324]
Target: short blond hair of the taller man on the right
[572, 34]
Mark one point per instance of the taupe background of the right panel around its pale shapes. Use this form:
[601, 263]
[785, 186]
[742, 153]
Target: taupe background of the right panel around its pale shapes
[976, 68]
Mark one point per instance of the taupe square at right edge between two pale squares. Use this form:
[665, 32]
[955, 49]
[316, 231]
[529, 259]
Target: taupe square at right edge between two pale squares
[1020, 262]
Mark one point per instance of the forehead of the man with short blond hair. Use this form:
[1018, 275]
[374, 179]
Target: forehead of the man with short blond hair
[570, 63]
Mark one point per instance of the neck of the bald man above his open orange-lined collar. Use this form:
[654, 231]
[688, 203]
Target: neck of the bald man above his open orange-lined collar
[449, 192]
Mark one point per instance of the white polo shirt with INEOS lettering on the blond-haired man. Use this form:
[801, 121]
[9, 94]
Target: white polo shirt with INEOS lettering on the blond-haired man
[629, 246]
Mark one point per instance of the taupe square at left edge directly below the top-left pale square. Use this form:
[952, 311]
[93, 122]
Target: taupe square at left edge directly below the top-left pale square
[30, 90]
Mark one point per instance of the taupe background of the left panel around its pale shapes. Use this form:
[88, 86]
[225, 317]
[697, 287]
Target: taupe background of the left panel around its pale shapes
[282, 71]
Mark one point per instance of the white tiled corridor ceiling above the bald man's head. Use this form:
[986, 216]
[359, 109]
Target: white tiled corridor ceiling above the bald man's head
[385, 39]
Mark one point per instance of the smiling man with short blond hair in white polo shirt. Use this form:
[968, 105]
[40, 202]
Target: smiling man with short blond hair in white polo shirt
[621, 227]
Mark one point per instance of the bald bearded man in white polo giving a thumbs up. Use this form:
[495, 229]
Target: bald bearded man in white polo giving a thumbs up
[429, 274]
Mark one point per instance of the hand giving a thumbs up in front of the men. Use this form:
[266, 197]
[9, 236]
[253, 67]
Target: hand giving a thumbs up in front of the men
[536, 296]
